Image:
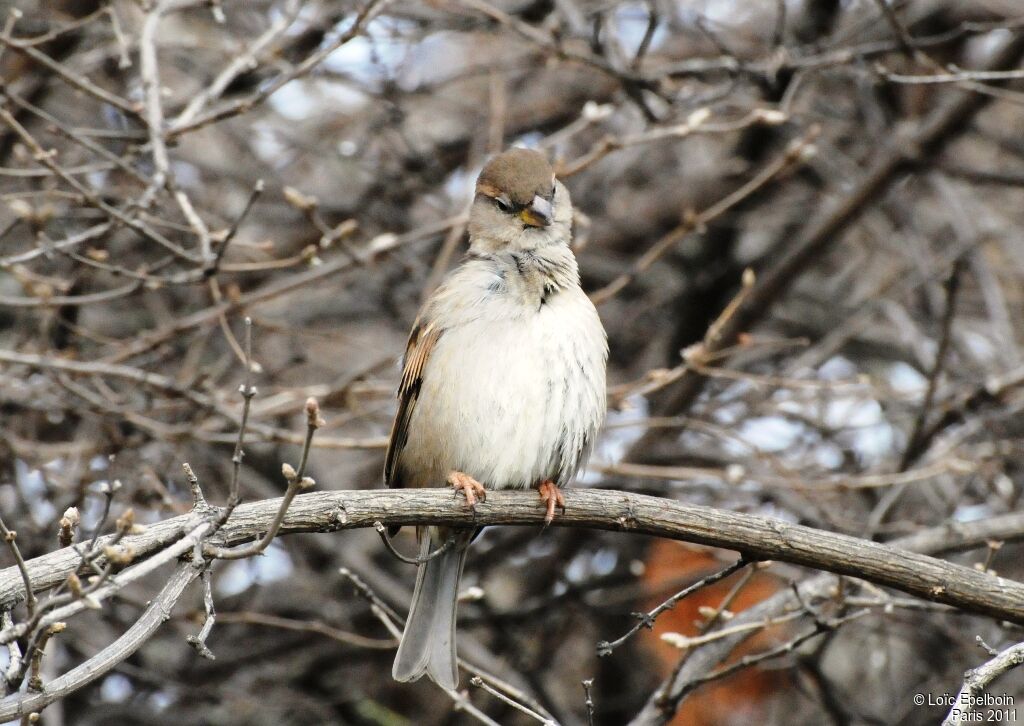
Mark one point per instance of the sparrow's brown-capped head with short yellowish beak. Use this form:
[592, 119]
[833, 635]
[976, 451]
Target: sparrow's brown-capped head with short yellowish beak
[520, 204]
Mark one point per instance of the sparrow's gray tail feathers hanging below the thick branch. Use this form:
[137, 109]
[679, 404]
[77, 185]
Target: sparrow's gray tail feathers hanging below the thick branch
[429, 643]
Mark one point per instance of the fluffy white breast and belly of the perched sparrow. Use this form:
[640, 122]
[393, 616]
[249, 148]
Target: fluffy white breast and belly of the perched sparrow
[513, 397]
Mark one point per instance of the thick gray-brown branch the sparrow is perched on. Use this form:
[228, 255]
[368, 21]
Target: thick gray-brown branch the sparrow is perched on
[618, 511]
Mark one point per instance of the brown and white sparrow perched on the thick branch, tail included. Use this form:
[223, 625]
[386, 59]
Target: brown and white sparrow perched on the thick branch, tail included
[503, 385]
